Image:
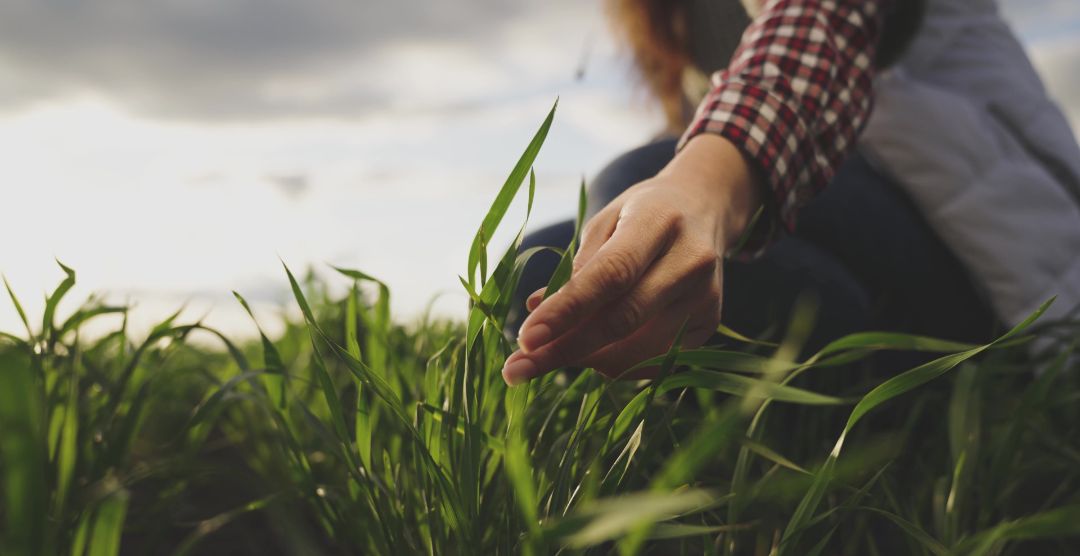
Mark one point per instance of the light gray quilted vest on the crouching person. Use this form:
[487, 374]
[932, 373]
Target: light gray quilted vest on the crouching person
[965, 126]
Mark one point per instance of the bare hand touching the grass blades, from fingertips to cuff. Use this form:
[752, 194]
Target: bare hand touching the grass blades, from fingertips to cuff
[649, 262]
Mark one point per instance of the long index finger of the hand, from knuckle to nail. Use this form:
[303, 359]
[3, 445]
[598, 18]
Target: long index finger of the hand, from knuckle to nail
[614, 270]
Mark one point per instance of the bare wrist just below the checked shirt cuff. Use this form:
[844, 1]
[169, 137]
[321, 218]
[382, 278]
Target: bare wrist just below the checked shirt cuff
[724, 180]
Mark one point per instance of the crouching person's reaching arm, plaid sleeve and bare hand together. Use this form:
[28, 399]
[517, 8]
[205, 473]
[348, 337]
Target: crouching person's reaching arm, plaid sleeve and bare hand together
[777, 126]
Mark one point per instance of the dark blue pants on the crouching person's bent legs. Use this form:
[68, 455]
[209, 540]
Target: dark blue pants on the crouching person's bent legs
[861, 249]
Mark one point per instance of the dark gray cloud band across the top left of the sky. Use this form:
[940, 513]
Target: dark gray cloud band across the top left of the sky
[222, 59]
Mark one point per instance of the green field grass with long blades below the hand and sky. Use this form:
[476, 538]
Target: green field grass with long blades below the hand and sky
[354, 435]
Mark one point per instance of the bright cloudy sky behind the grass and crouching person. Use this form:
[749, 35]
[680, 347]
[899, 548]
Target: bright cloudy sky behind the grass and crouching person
[174, 151]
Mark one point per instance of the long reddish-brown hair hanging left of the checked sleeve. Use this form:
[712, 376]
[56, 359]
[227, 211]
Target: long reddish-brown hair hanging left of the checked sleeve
[655, 31]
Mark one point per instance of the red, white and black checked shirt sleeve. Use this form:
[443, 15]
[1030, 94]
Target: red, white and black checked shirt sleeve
[796, 96]
